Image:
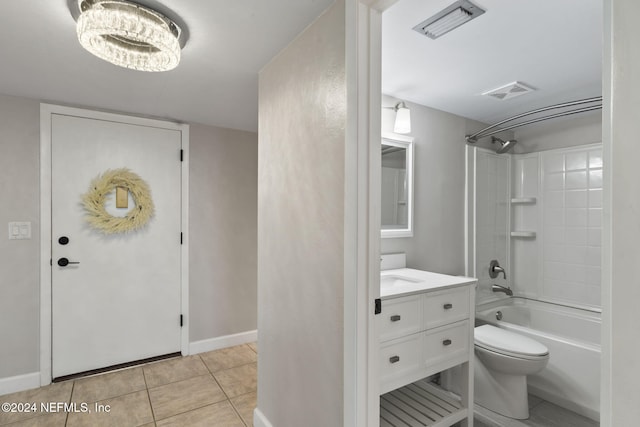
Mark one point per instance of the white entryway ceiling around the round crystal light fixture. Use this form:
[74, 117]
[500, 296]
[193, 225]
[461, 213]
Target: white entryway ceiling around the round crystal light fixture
[216, 82]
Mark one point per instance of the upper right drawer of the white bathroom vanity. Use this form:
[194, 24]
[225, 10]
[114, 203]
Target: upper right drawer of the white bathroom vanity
[444, 307]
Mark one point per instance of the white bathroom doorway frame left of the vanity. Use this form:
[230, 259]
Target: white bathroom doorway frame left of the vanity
[362, 201]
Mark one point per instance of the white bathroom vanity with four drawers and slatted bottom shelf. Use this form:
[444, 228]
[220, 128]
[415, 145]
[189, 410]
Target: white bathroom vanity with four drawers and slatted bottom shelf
[426, 326]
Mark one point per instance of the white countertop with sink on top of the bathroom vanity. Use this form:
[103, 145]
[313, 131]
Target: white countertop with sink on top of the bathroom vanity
[407, 281]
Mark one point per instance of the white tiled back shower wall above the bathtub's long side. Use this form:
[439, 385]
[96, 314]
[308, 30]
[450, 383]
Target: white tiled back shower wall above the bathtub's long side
[562, 262]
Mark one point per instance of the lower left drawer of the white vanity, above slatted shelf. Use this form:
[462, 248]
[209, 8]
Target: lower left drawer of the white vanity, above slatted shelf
[400, 359]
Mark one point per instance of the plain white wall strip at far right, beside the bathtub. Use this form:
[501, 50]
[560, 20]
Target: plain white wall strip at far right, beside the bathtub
[621, 370]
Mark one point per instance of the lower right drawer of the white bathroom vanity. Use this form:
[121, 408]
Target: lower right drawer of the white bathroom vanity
[446, 343]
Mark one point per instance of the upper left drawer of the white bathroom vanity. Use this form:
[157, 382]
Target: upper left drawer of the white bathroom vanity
[400, 317]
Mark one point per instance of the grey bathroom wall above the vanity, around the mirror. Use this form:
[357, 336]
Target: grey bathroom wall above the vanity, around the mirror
[439, 167]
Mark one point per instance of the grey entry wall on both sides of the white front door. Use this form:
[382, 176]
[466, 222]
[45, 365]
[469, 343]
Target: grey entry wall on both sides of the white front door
[223, 267]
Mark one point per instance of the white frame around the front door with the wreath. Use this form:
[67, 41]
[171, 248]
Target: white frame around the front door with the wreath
[46, 112]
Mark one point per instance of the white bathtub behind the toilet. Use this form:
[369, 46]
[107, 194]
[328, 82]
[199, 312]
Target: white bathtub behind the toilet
[572, 376]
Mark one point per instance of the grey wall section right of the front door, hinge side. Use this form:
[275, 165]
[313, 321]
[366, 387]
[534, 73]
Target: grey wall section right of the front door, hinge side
[223, 179]
